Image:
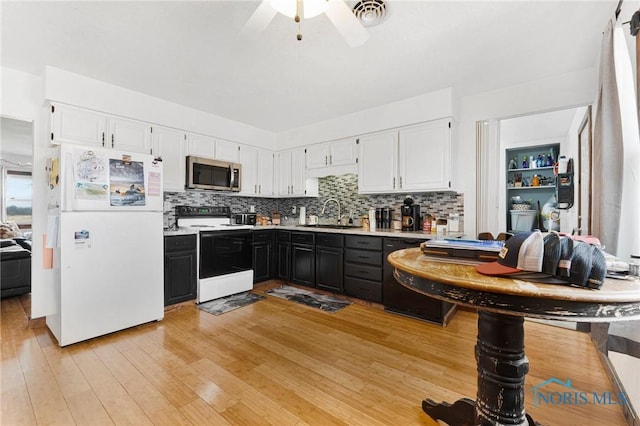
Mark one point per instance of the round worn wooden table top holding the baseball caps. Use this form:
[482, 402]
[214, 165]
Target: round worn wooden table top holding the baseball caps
[614, 292]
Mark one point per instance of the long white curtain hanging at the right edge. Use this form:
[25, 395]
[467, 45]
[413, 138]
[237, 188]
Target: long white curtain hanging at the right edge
[616, 150]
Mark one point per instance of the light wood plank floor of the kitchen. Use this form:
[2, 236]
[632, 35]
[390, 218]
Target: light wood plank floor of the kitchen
[274, 362]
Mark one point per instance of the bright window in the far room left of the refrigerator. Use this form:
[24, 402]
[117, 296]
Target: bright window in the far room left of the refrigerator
[17, 198]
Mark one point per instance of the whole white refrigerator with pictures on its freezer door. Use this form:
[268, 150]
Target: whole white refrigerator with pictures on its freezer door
[105, 228]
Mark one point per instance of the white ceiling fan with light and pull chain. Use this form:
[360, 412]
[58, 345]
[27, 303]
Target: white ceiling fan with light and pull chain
[337, 11]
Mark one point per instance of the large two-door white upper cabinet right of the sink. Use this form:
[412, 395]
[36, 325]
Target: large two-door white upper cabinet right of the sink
[410, 159]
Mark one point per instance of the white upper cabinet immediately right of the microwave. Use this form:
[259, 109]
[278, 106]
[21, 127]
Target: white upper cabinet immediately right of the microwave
[257, 171]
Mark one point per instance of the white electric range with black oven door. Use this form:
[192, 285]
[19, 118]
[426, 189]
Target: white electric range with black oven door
[225, 255]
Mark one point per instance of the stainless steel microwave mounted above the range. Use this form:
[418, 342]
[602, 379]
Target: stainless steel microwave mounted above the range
[207, 173]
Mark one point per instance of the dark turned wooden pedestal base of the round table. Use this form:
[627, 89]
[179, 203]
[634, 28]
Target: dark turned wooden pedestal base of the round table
[502, 366]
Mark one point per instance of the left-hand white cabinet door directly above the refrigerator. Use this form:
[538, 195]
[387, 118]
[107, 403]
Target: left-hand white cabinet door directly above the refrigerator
[75, 125]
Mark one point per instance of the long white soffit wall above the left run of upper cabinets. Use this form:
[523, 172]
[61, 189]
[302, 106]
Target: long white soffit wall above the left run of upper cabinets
[75, 89]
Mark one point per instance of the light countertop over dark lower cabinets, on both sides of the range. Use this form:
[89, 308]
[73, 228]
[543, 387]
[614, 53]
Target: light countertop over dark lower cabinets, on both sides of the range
[420, 235]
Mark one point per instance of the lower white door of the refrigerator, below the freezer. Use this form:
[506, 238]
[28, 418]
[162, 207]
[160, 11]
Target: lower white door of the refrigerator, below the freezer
[111, 272]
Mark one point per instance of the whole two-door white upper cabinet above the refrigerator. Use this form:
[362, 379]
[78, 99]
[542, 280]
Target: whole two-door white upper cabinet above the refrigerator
[85, 127]
